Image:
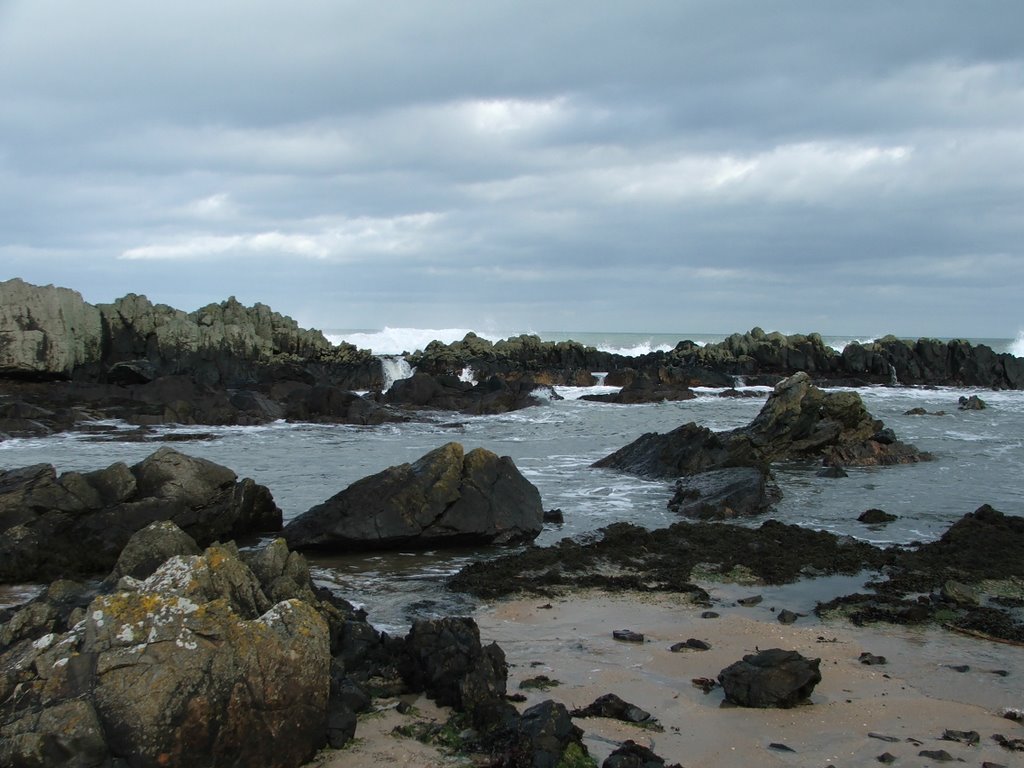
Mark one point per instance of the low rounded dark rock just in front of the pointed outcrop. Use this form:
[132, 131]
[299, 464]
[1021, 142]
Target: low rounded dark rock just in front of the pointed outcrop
[726, 494]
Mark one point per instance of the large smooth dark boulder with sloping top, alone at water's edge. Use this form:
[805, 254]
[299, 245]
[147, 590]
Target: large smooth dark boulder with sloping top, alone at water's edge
[447, 497]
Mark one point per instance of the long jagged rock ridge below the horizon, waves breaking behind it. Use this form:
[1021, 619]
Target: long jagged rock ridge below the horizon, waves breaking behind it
[66, 364]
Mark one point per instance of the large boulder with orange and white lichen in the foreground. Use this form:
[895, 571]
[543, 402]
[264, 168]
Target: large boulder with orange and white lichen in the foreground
[193, 665]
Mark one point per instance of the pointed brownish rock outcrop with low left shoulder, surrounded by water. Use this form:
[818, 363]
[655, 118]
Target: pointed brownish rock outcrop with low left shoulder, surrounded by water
[798, 422]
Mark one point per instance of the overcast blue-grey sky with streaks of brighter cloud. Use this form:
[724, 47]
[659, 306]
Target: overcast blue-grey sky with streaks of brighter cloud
[581, 165]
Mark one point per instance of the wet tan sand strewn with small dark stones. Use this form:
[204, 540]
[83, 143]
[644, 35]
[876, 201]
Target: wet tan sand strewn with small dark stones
[923, 690]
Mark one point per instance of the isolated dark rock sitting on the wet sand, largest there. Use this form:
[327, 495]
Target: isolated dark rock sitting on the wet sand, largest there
[774, 678]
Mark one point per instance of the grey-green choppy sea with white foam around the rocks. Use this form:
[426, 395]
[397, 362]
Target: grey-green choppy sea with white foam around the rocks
[979, 459]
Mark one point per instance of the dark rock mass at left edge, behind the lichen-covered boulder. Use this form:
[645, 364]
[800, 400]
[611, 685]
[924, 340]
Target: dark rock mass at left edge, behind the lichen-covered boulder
[79, 523]
